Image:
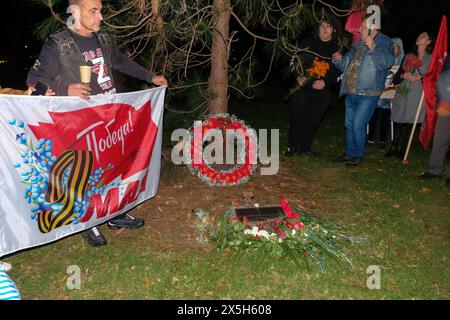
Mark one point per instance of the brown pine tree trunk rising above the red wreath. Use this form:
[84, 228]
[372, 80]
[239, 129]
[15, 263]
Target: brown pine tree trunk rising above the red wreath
[218, 80]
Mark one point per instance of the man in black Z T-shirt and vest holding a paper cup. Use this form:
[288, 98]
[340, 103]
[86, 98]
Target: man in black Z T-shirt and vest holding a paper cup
[58, 66]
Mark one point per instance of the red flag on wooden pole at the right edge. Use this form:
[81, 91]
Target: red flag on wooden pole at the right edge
[430, 85]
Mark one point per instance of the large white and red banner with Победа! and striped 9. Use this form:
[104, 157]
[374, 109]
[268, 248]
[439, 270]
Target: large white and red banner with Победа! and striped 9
[67, 164]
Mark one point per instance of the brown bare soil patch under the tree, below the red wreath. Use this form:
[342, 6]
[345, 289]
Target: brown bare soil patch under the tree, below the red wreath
[169, 218]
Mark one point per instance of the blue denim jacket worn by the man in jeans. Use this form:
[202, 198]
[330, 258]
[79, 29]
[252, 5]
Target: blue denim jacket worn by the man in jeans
[374, 66]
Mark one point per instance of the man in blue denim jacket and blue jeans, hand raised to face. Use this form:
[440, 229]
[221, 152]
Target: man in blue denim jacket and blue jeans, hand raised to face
[365, 68]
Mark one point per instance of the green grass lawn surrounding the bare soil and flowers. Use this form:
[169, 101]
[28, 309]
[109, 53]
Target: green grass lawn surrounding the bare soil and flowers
[406, 221]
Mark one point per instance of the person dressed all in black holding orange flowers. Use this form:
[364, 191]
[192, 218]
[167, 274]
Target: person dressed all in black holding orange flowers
[309, 104]
